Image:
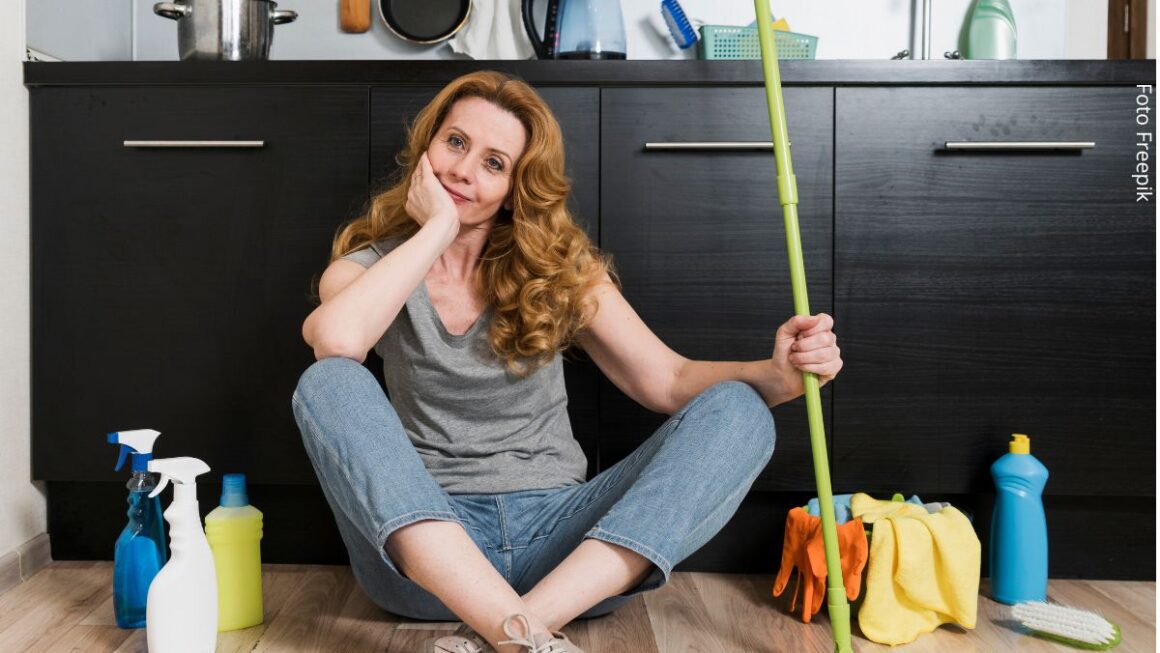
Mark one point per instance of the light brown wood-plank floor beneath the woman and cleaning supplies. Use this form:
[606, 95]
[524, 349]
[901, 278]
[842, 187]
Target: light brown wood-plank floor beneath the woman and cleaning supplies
[69, 607]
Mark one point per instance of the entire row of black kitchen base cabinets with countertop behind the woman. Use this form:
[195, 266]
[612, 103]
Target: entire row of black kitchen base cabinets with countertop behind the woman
[976, 294]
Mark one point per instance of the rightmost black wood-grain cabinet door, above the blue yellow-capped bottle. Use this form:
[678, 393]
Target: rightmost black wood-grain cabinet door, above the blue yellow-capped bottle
[983, 294]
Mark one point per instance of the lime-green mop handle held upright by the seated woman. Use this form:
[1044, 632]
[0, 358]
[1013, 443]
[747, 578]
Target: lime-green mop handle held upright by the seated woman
[787, 194]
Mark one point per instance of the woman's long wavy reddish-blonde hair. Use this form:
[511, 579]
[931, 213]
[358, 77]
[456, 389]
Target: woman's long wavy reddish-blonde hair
[538, 267]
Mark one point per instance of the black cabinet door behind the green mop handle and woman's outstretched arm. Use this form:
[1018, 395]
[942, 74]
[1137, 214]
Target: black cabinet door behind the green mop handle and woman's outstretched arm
[699, 238]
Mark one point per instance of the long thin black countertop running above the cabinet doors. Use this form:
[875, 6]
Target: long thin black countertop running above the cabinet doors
[828, 72]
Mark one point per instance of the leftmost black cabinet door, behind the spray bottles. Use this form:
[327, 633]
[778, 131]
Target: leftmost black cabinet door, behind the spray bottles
[170, 285]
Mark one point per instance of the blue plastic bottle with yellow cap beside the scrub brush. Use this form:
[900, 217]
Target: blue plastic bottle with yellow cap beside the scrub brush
[1019, 527]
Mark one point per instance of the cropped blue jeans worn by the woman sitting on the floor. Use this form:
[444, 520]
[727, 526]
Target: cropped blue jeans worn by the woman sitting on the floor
[664, 502]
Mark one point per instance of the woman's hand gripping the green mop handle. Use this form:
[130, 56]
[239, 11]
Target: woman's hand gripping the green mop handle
[806, 344]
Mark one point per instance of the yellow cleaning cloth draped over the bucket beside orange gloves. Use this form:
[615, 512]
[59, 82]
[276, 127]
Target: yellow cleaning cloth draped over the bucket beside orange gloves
[924, 570]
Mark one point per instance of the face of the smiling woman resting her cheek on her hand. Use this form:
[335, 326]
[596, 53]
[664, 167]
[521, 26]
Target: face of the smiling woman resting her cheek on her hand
[474, 156]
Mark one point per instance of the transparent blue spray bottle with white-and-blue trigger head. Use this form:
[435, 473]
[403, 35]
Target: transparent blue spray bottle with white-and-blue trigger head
[141, 550]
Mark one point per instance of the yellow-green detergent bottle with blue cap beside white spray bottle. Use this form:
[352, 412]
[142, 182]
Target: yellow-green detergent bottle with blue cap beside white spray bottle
[235, 531]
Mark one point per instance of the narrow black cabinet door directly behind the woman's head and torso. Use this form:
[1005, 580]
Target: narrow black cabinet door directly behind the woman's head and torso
[577, 111]
